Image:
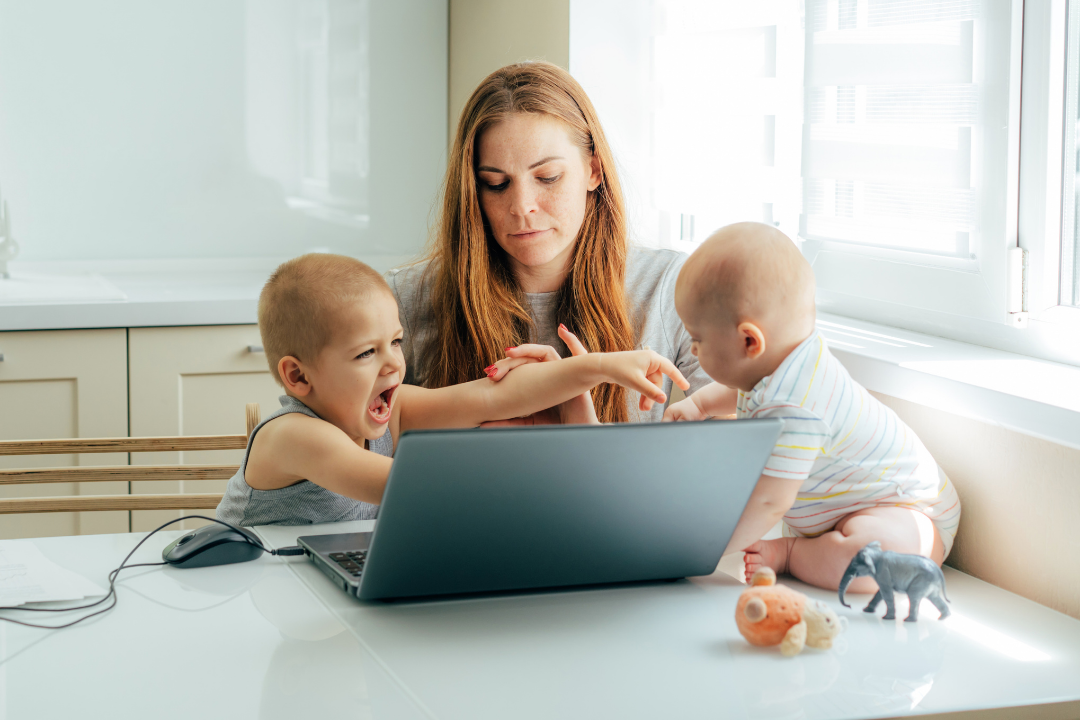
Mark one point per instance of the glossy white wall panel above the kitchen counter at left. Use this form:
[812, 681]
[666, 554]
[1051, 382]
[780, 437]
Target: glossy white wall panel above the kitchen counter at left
[183, 129]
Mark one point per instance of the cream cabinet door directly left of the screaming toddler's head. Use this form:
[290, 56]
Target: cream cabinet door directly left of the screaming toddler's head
[194, 382]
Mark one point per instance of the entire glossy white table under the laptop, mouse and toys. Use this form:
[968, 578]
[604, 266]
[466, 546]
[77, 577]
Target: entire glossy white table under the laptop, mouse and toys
[276, 640]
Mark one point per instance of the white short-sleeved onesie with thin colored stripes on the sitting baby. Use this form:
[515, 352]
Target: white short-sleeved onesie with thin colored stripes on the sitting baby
[850, 451]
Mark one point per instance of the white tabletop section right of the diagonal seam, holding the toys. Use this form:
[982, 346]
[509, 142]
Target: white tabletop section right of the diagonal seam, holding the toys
[672, 650]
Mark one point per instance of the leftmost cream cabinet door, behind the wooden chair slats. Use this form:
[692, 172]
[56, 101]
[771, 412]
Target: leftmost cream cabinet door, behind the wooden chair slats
[59, 385]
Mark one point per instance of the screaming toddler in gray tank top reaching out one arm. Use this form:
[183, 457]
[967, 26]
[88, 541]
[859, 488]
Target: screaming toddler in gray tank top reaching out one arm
[332, 337]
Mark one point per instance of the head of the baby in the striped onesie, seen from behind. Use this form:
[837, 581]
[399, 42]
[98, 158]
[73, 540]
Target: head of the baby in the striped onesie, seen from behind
[747, 297]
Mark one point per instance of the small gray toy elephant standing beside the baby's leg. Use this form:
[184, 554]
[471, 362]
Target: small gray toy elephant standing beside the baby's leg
[916, 576]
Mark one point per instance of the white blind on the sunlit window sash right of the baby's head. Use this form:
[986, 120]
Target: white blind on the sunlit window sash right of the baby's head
[892, 125]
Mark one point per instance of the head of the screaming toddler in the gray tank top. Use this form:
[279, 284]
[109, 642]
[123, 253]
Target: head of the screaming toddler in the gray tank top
[333, 339]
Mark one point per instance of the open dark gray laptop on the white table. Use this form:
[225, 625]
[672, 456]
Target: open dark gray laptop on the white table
[518, 509]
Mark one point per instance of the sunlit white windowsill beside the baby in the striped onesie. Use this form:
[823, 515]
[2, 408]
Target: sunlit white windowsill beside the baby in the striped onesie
[1031, 397]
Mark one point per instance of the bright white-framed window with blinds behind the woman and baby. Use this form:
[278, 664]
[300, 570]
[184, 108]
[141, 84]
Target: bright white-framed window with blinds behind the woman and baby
[883, 135]
